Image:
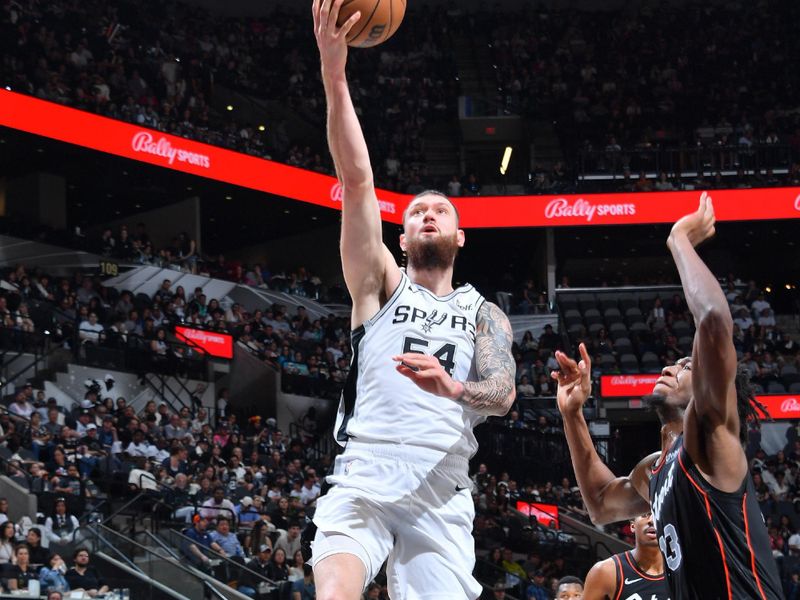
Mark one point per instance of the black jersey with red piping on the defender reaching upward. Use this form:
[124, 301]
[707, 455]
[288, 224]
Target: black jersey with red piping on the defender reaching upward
[715, 544]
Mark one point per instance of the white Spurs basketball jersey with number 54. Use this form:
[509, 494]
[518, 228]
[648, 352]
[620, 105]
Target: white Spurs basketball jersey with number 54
[379, 404]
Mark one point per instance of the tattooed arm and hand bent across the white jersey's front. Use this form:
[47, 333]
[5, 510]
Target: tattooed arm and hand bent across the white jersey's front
[494, 392]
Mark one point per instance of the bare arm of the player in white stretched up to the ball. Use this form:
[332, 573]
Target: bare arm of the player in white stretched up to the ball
[370, 270]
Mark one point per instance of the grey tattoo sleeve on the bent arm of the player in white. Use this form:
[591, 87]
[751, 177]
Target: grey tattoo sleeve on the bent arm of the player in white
[493, 393]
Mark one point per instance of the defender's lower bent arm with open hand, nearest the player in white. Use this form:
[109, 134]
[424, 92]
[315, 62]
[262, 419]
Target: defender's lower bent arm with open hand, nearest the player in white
[608, 498]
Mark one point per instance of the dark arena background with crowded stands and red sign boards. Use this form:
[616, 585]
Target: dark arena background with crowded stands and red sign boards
[174, 324]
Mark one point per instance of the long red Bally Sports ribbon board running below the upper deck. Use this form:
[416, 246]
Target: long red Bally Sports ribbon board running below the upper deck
[73, 126]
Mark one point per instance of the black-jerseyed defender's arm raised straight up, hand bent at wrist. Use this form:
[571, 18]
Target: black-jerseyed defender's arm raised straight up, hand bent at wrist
[712, 420]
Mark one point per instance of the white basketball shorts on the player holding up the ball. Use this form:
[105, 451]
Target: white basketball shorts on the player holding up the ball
[408, 505]
